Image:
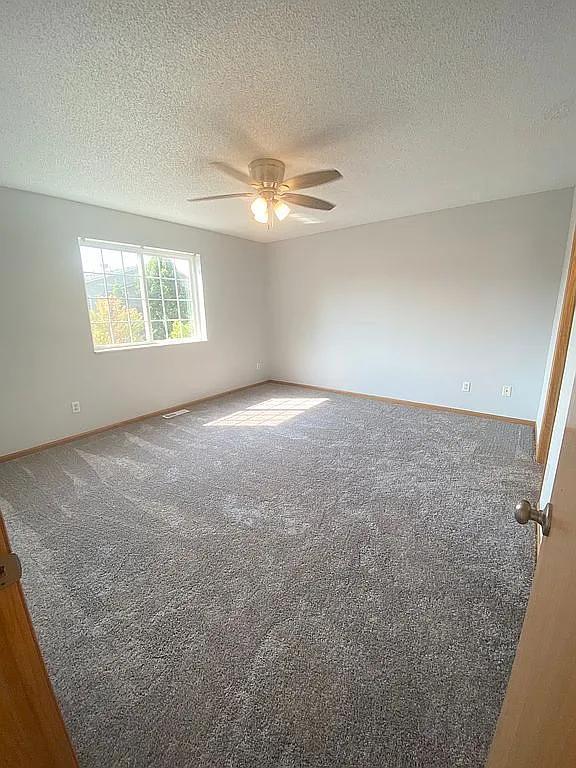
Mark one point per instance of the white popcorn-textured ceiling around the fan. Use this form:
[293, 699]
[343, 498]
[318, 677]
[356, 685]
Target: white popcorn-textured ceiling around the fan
[421, 104]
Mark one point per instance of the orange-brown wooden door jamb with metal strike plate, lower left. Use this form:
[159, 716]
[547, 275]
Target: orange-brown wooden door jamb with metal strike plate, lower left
[32, 732]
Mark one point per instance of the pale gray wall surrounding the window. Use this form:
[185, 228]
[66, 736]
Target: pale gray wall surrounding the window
[46, 353]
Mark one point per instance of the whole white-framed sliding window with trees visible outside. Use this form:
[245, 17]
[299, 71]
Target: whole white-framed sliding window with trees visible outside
[138, 296]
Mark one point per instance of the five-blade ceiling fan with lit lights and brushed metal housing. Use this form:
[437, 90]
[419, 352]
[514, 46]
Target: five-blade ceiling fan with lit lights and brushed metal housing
[271, 192]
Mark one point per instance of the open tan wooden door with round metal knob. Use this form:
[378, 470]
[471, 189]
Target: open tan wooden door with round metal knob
[537, 725]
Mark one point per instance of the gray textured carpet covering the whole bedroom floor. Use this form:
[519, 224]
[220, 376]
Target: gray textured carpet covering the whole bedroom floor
[343, 588]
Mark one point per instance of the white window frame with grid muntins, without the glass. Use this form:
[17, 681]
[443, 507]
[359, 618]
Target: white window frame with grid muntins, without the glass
[196, 297]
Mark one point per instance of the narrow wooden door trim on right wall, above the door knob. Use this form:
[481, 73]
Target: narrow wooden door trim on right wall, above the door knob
[559, 360]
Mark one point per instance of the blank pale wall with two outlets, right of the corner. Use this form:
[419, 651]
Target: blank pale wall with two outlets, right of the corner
[411, 308]
